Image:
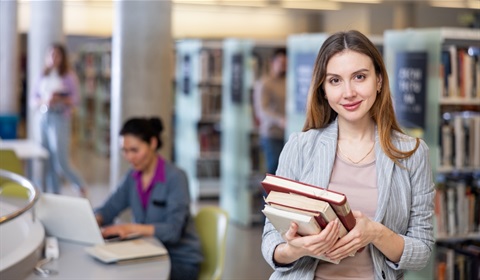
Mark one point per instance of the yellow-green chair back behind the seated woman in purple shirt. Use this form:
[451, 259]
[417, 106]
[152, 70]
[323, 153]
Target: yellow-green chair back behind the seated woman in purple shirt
[212, 224]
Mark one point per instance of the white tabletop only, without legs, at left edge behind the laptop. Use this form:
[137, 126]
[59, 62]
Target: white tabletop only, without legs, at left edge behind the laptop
[25, 148]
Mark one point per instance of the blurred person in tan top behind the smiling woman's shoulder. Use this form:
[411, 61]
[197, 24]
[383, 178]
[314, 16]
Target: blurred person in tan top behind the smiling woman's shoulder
[269, 105]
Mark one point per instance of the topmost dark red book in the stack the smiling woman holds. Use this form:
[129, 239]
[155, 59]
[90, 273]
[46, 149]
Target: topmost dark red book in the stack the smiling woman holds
[337, 200]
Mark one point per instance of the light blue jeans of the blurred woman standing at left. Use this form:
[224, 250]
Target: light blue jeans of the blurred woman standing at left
[55, 132]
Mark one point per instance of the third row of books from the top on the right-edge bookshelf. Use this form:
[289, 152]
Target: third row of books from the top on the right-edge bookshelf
[457, 206]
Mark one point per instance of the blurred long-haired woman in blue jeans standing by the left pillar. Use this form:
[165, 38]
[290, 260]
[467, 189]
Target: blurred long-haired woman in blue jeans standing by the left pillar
[56, 95]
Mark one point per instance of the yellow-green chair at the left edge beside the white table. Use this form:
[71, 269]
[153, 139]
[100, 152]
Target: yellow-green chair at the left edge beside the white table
[10, 162]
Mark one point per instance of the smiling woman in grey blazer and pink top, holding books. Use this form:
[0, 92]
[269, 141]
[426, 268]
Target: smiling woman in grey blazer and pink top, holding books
[351, 143]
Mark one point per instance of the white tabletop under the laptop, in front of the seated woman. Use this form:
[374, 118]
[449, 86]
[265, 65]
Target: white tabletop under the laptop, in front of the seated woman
[75, 263]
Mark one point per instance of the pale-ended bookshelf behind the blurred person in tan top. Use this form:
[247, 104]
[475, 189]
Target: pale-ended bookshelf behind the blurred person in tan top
[242, 163]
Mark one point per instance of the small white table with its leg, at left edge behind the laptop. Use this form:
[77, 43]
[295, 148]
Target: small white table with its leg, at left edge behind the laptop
[29, 151]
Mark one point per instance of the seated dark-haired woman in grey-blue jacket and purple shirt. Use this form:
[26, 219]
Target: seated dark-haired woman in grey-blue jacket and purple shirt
[157, 193]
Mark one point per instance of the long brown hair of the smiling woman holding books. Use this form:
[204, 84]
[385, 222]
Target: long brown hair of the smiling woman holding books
[320, 114]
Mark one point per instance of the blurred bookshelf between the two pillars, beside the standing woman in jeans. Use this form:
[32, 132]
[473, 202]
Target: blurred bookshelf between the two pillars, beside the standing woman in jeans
[94, 71]
